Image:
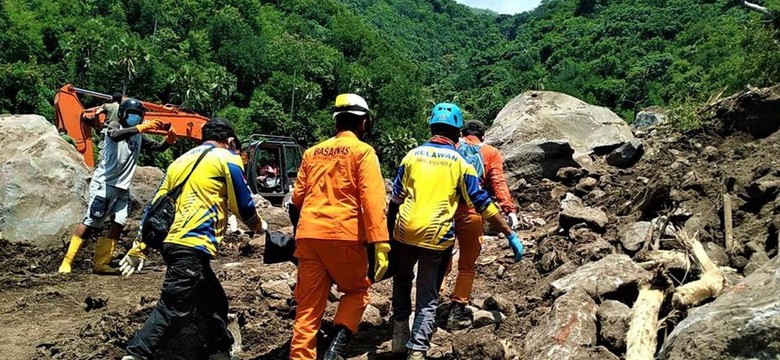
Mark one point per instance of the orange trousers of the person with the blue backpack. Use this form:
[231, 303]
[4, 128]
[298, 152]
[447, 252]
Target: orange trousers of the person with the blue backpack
[468, 231]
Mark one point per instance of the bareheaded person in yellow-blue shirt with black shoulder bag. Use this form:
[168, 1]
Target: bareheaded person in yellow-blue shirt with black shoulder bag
[190, 319]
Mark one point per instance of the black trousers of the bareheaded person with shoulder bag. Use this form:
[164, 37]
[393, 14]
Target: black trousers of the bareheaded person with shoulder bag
[190, 320]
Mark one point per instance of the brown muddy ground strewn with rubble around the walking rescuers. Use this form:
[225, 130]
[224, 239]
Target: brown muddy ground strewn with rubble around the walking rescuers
[683, 176]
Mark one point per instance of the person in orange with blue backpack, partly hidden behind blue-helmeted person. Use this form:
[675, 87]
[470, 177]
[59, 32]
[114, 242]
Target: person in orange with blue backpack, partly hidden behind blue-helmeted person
[469, 225]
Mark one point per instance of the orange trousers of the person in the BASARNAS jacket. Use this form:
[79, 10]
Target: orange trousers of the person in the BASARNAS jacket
[320, 263]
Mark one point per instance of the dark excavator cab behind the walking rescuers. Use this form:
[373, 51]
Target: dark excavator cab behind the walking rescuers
[272, 164]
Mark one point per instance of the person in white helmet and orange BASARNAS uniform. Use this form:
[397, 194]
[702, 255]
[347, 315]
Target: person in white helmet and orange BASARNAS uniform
[341, 235]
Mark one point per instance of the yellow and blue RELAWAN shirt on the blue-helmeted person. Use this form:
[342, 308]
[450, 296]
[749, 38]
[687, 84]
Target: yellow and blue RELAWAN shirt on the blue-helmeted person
[429, 184]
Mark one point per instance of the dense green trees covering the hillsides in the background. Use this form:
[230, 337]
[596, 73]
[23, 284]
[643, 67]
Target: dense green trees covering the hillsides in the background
[276, 66]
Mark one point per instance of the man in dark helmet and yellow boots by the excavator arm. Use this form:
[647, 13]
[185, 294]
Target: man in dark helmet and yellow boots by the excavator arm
[109, 190]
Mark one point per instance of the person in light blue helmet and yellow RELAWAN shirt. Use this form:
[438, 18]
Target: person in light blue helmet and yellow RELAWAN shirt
[430, 182]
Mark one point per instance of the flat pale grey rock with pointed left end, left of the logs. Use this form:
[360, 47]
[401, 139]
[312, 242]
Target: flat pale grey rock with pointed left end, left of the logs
[613, 273]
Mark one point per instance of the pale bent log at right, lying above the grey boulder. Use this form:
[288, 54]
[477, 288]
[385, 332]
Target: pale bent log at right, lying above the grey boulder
[709, 285]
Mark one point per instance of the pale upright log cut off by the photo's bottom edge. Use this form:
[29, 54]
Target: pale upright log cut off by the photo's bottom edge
[642, 336]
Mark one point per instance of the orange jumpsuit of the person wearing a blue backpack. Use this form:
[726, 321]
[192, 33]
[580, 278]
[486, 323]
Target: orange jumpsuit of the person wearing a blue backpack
[469, 224]
